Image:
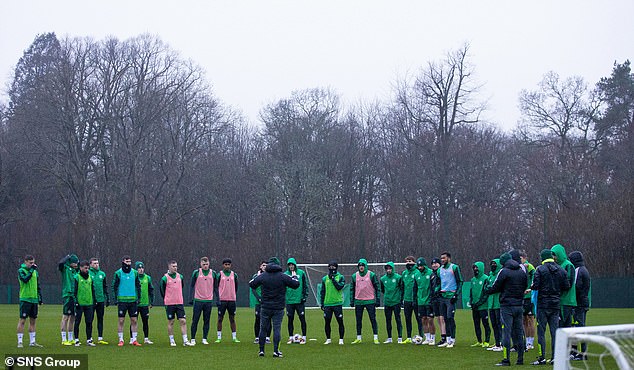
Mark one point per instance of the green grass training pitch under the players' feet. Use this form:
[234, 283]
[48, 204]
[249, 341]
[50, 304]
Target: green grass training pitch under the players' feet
[313, 355]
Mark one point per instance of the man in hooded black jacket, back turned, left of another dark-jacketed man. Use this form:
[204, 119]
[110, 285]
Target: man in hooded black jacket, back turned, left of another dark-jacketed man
[511, 284]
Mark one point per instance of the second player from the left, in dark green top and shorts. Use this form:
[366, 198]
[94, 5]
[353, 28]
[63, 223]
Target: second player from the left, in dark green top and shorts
[67, 267]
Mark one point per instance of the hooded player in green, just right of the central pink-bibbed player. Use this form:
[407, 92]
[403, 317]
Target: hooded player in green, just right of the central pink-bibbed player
[392, 289]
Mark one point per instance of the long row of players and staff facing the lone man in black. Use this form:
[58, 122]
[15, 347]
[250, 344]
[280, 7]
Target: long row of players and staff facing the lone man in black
[427, 293]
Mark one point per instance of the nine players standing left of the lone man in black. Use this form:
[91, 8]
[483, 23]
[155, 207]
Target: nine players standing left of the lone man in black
[85, 295]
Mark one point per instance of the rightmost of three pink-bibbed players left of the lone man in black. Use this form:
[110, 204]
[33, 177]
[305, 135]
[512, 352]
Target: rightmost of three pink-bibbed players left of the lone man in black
[227, 283]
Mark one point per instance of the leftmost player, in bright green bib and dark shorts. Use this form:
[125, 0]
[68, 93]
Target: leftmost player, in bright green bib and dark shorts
[30, 299]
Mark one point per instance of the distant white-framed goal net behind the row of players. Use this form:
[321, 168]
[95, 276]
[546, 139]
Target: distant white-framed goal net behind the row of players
[316, 271]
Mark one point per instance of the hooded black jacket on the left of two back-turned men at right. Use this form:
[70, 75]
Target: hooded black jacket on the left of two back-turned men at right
[511, 282]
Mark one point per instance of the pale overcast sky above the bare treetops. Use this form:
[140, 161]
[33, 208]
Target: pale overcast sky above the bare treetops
[258, 51]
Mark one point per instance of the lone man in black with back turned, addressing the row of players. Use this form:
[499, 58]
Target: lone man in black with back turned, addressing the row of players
[274, 283]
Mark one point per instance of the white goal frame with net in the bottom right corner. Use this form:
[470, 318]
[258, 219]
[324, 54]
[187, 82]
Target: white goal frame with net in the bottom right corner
[608, 346]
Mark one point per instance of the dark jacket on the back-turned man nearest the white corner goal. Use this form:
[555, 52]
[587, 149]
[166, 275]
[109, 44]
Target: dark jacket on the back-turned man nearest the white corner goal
[549, 281]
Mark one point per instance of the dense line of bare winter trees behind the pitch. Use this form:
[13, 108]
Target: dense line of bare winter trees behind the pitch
[120, 147]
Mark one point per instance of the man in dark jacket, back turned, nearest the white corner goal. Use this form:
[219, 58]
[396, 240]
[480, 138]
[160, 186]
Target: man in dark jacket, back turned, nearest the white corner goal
[549, 281]
